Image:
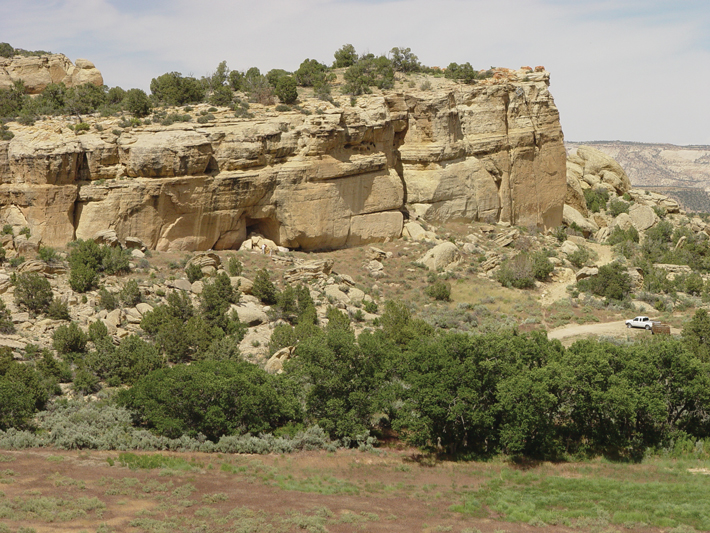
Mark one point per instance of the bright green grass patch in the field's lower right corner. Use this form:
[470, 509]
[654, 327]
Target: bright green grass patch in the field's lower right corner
[672, 499]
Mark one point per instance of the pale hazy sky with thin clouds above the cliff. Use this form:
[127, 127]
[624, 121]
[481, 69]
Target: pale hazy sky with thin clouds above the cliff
[634, 70]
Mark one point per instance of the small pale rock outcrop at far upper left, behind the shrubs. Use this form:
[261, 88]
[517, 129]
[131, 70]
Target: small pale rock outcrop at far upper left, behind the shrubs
[39, 71]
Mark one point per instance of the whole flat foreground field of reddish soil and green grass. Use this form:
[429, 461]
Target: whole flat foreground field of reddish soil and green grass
[386, 490]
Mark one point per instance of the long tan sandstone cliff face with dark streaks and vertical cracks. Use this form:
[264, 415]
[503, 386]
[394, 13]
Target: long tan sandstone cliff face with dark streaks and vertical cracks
[340, 176]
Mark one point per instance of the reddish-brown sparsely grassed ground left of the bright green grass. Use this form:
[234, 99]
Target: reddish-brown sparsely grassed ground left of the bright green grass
[389, 491]
